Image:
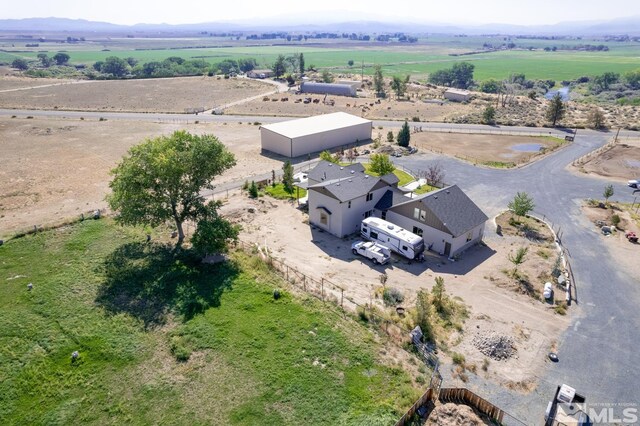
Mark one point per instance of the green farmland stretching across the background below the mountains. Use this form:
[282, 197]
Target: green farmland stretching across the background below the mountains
[417, 60]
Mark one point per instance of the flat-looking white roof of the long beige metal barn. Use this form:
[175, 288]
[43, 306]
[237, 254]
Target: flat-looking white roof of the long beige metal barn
[316, 124]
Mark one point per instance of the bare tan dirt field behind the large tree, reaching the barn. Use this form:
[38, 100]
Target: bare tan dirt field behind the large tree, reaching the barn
[56, 169]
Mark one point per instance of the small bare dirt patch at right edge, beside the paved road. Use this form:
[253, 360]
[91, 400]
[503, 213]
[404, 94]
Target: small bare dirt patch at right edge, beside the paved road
[620, 163]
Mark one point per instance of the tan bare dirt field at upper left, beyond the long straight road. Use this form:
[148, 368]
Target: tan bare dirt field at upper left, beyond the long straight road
[144, 95]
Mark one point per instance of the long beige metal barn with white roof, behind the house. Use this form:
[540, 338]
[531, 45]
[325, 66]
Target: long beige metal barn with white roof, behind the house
[314, 134]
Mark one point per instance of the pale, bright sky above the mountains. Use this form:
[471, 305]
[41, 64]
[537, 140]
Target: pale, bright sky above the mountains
[523, 12]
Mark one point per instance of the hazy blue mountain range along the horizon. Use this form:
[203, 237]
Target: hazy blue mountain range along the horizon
[291, 23]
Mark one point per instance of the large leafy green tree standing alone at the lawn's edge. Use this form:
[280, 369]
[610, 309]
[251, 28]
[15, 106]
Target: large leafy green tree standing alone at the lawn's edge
[162, 178]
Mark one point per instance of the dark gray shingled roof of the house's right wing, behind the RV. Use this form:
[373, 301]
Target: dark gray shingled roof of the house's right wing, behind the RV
[453, 208]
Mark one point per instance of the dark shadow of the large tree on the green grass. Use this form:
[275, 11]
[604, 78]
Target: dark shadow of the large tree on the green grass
[148, 281]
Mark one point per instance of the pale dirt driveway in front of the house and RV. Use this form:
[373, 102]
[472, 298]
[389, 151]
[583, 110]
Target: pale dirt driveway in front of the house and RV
[534, 326]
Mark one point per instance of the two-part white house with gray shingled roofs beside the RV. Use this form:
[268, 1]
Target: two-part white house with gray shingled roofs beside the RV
[341, 197]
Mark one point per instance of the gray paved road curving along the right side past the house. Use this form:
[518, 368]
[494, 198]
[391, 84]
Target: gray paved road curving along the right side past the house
[597, 353]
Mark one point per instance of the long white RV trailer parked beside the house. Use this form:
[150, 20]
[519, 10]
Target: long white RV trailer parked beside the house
[392, 236]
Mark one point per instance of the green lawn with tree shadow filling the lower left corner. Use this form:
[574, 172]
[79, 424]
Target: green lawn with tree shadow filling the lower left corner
[133, 310]
